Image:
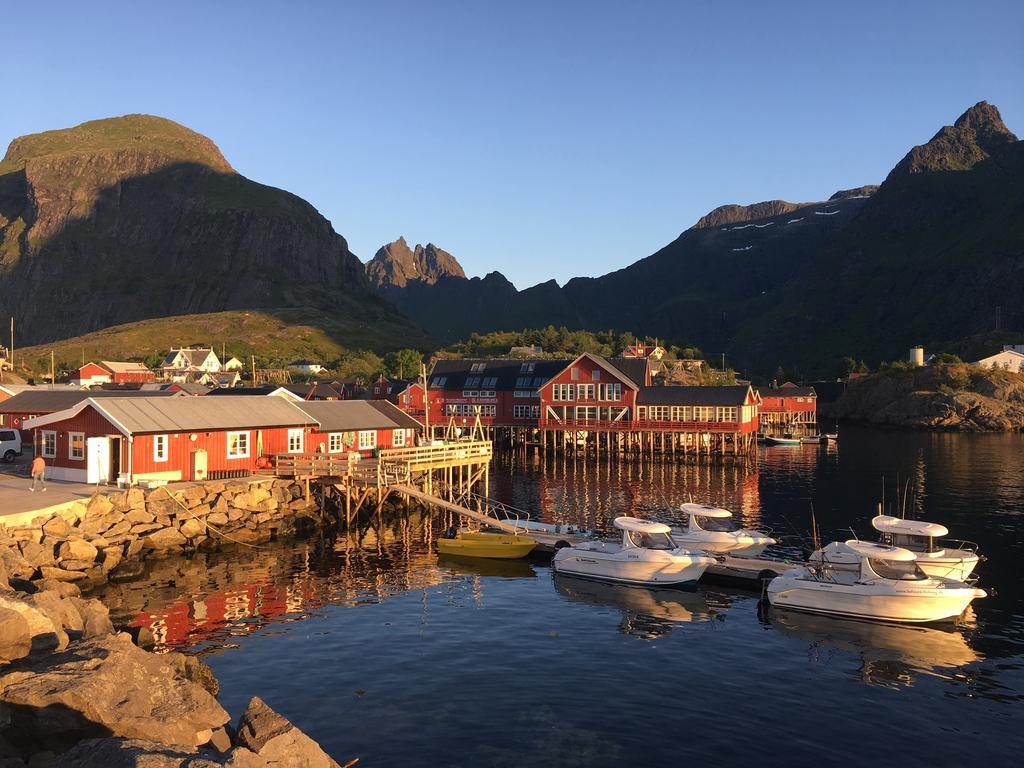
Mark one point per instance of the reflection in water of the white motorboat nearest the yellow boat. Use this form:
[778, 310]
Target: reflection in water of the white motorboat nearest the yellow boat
[648, 614]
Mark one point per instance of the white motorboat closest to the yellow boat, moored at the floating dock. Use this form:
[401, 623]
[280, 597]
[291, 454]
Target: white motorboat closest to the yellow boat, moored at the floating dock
[647, 557]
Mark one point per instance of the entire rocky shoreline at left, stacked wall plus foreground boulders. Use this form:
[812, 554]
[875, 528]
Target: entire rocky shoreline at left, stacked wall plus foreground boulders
[76, 694]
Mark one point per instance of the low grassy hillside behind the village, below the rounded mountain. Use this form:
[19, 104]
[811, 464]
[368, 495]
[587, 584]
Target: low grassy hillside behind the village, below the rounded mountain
[275, 337]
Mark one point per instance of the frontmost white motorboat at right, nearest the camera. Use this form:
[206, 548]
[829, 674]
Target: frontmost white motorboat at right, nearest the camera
[888, 586]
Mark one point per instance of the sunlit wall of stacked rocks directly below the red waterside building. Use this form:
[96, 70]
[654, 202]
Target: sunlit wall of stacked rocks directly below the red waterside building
[110, 536]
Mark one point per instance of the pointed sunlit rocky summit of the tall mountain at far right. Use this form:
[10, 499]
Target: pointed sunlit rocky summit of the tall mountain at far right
[976, 136]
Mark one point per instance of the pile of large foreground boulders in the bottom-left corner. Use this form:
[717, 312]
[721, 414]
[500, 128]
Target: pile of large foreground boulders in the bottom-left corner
[75, 694]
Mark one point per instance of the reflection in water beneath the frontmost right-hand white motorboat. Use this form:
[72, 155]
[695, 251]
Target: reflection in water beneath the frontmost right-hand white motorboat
[891, 656]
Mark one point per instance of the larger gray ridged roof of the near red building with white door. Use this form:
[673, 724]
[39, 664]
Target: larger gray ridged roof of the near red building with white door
[142, 415]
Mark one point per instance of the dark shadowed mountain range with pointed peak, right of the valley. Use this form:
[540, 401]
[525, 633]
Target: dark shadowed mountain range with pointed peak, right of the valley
[926, 258]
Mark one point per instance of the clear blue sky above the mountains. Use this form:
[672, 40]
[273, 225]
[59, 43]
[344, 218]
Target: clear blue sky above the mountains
[544, 140]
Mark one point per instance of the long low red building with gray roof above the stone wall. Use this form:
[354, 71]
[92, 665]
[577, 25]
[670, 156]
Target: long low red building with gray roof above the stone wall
[133, 440]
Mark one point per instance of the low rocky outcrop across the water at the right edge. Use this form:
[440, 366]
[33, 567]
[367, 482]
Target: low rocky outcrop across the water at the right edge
[956, 398]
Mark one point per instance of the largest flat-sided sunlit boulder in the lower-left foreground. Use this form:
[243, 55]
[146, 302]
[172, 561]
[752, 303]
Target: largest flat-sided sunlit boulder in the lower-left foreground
[107, 687]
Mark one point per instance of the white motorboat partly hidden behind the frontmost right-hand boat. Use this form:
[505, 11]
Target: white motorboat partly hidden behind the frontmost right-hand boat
[955, 562]
